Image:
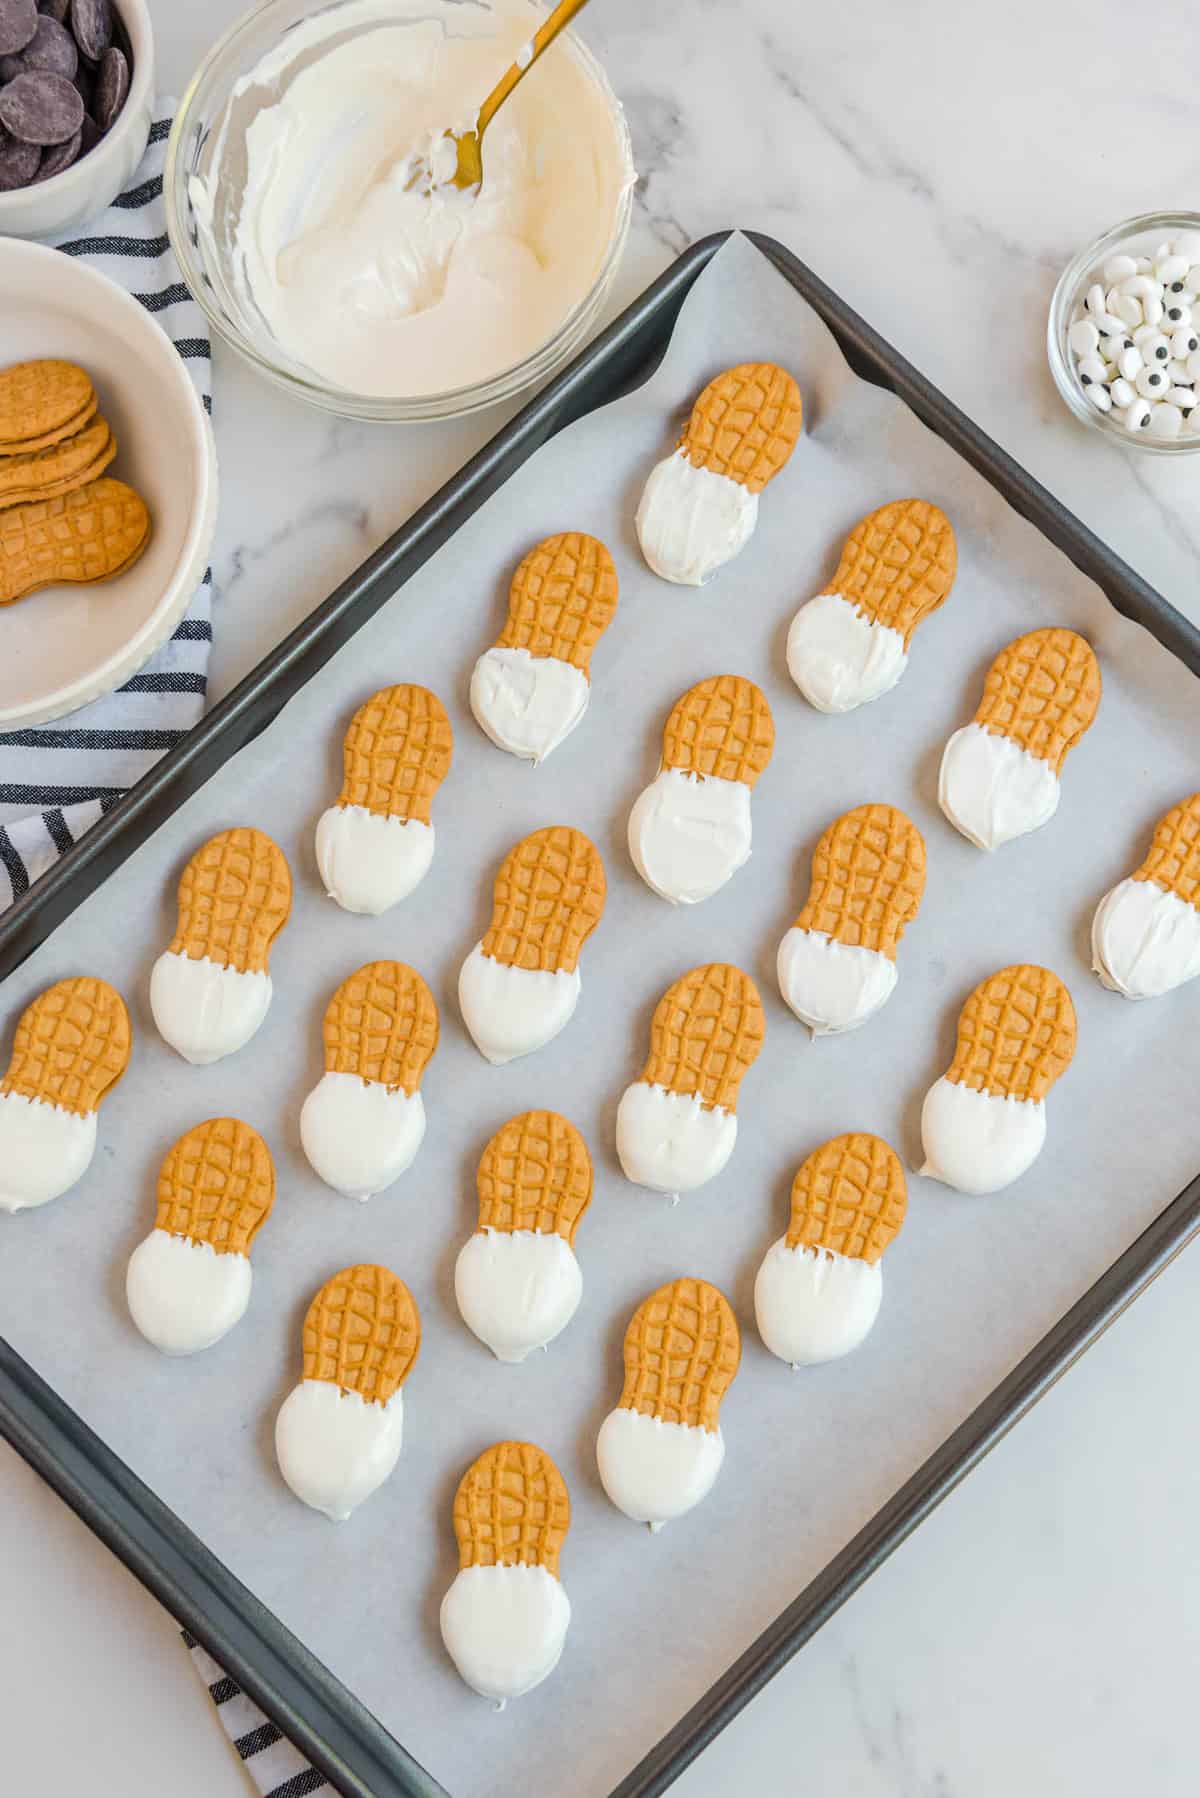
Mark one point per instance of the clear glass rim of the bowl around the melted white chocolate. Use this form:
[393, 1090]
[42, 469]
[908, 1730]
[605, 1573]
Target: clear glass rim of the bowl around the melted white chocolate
[456, 402]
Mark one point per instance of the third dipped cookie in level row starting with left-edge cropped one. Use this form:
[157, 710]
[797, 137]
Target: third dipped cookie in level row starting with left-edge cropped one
[677, 1123]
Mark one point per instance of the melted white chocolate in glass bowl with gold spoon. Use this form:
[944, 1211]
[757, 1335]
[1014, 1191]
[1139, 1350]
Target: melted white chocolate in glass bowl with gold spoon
[372, 285]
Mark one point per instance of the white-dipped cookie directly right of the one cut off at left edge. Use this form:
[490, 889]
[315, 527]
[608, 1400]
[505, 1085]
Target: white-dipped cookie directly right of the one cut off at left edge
[364, 1121]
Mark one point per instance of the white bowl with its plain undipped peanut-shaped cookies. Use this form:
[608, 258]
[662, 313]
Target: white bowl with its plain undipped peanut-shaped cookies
[109, 486]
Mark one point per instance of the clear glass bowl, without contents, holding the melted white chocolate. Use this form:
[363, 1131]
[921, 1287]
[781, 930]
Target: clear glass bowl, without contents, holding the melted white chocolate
[192, 148]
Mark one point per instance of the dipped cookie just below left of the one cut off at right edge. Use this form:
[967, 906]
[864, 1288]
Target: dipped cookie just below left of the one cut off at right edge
[983, 1123]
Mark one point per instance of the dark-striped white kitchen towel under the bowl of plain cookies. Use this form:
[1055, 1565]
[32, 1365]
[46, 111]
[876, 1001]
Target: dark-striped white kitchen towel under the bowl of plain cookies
[58, 779]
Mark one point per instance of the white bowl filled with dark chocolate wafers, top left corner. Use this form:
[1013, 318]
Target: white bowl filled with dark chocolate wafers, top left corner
[76, 96]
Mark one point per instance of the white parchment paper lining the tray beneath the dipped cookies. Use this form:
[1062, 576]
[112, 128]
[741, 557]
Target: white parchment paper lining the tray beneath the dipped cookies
[971, 1286]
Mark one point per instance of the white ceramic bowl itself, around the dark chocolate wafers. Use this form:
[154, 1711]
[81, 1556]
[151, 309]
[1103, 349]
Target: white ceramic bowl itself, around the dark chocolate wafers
[94, 182]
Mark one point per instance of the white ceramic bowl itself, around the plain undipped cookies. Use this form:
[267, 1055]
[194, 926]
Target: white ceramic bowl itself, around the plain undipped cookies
[71, 645]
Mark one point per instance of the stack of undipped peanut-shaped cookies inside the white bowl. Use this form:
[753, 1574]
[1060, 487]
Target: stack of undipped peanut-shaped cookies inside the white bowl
[62, 521]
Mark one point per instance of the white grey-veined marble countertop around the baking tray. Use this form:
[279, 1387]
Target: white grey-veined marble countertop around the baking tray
[938, 166]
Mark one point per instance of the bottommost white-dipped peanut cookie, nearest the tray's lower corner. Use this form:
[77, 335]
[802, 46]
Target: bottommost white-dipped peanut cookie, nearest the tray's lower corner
[505, 1619]
